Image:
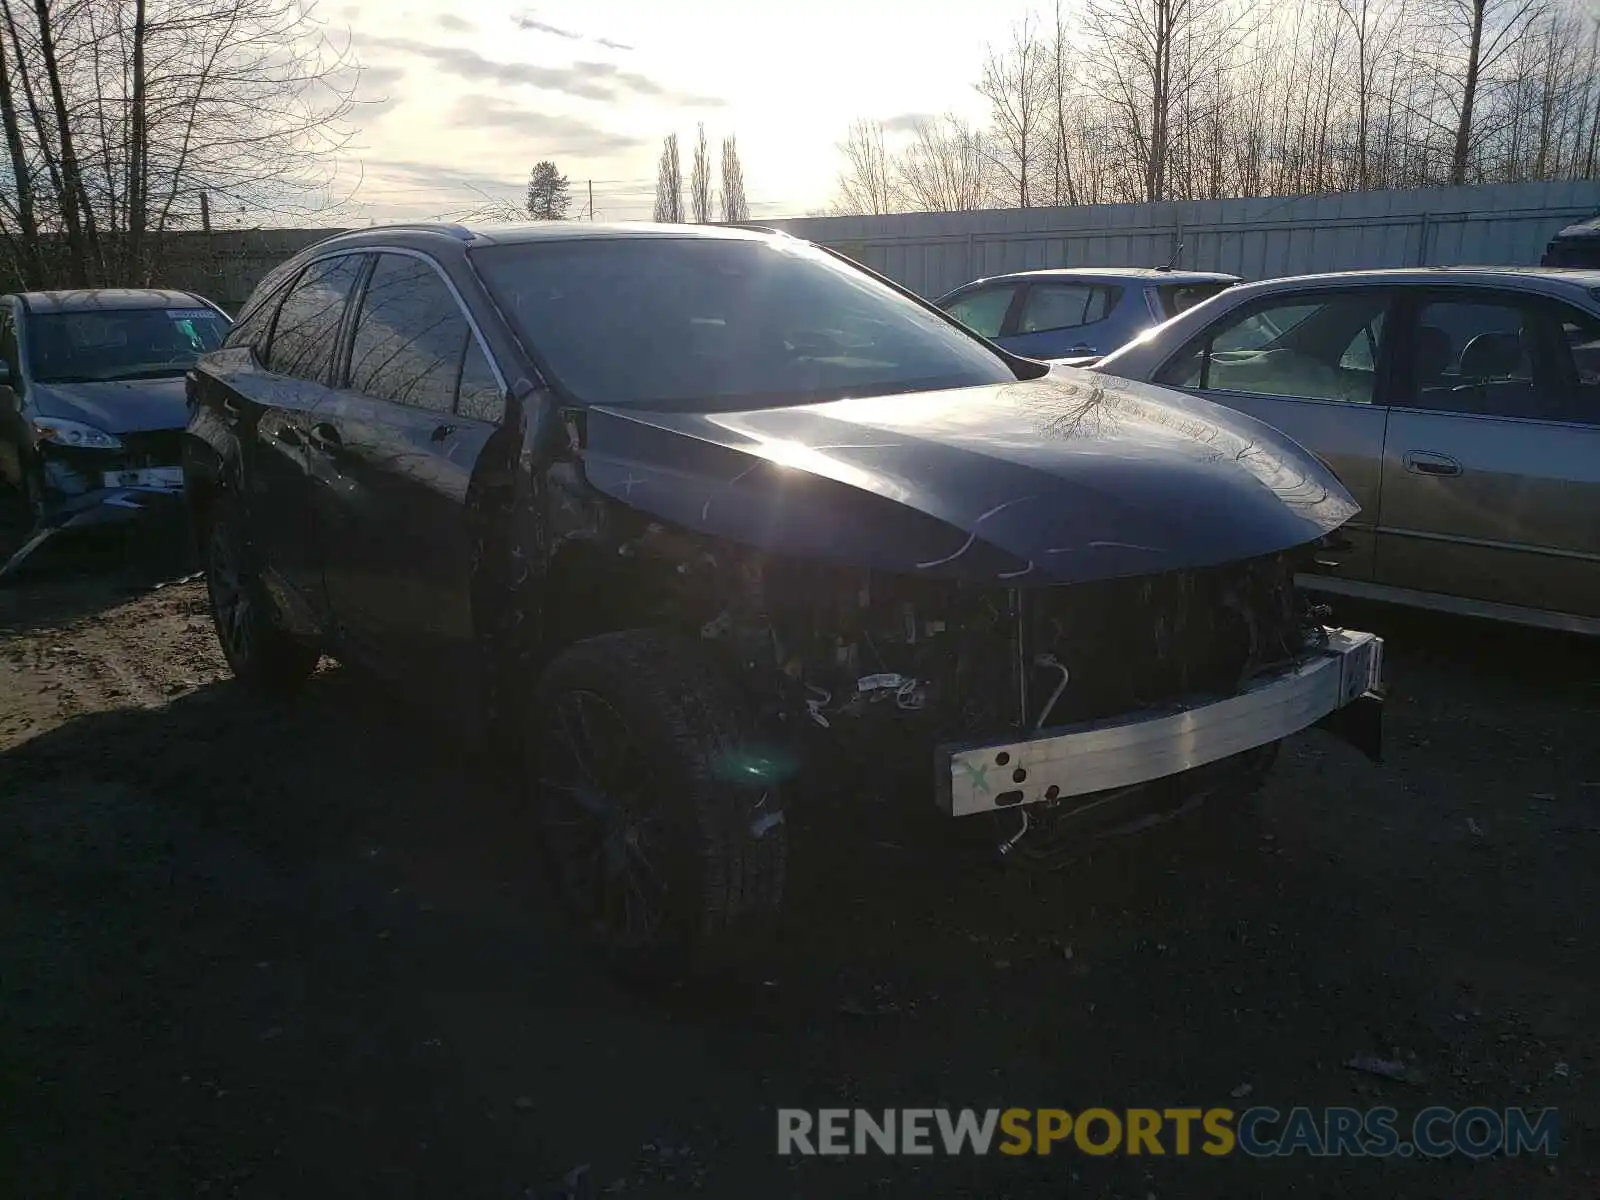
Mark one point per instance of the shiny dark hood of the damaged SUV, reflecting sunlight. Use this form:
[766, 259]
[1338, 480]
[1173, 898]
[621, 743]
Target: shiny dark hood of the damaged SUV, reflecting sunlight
[1063, 479]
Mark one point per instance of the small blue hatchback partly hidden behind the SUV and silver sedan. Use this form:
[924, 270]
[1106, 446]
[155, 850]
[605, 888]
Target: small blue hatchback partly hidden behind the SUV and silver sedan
[1079, 313]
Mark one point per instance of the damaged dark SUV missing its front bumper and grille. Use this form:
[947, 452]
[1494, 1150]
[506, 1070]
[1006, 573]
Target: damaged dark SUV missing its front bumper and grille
[679, 508]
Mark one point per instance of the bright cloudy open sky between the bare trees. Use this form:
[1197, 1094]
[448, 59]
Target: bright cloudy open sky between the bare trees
[458, 102]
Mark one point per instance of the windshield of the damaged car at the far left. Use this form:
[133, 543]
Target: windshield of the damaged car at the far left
[73, 348]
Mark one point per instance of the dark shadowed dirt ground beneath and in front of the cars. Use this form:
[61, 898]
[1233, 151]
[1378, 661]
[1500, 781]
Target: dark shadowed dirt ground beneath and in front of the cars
[284, 953]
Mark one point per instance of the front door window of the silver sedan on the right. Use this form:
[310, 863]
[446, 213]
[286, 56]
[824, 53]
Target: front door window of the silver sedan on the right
[1324, 350]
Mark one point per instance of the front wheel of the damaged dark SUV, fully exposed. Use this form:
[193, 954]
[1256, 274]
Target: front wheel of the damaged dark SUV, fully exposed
[674, 850]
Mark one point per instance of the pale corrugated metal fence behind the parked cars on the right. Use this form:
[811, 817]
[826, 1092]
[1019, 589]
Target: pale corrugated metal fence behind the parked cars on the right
[1505, 225]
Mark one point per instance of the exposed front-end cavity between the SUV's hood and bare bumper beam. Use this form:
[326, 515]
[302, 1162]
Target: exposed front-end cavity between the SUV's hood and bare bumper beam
[847, 650]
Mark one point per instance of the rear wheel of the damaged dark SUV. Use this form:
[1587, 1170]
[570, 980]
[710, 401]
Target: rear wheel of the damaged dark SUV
[262, 655]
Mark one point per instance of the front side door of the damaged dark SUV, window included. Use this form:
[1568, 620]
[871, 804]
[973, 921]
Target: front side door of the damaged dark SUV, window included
[399, 454]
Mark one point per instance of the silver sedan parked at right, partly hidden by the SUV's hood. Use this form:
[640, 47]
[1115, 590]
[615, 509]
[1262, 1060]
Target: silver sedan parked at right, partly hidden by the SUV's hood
[1460, 406]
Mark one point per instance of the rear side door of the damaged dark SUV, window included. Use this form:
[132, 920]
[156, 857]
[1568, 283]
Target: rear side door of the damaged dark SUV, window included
[265, 383]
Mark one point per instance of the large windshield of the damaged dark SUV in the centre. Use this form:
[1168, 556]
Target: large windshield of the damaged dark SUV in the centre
[703, 324]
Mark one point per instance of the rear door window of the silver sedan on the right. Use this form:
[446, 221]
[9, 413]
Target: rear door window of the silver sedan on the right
[1484, 358]
